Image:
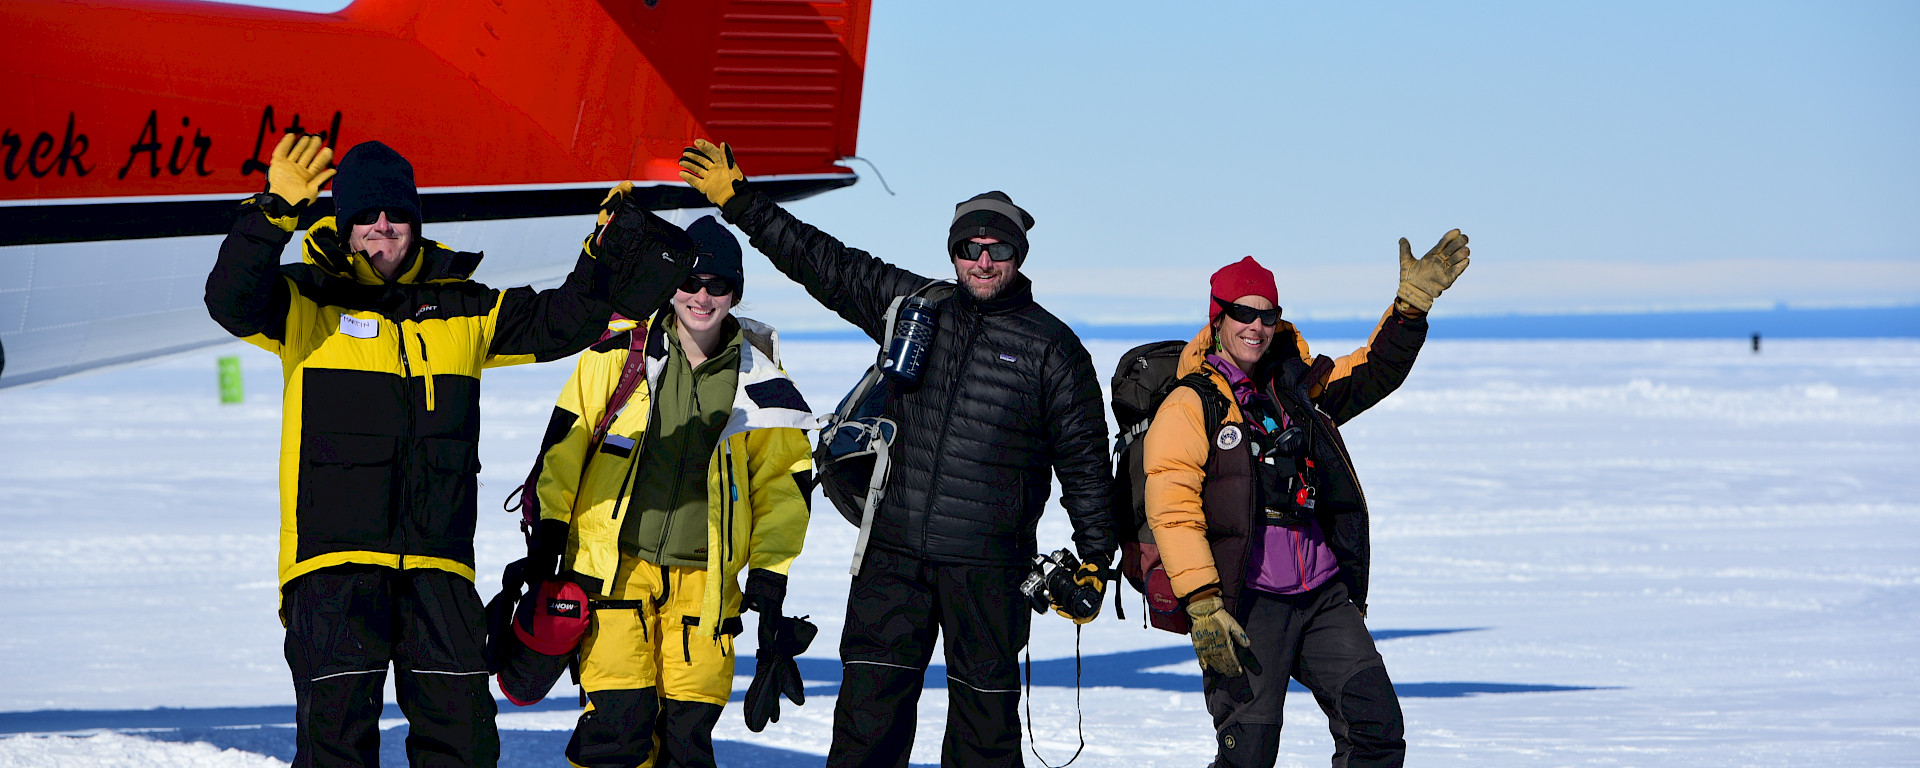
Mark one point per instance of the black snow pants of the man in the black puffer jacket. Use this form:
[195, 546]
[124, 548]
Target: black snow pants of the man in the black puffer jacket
[896, 612]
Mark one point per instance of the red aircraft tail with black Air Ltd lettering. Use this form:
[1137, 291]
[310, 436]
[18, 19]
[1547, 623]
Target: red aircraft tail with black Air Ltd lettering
[149, 118]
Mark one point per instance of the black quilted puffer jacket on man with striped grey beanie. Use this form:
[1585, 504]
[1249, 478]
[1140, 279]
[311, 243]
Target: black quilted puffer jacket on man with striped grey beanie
[1009, 393]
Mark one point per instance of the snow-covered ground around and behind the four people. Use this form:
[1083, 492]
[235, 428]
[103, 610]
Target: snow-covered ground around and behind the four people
[1587, 554]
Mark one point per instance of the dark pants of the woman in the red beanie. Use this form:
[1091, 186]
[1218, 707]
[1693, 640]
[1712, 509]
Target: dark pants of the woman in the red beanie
[1320, 640]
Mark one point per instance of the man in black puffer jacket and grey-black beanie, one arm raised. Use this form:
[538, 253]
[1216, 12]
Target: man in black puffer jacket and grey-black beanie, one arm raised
[1007, 395]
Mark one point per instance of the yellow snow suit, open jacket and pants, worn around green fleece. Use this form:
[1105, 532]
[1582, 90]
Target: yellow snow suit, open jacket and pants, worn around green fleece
[658, 661]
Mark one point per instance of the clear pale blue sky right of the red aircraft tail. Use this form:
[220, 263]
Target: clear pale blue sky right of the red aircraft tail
[1600, 156]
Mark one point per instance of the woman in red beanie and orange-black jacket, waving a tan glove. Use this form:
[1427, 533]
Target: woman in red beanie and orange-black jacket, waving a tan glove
[1260, 519]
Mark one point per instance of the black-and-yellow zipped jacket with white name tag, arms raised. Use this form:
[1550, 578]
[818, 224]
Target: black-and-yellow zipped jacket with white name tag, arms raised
[379, 446]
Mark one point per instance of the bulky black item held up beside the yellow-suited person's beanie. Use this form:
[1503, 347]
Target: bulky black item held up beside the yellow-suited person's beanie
[646, 254]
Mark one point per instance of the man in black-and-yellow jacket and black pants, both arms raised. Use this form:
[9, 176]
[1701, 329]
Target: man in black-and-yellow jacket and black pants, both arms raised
[383, 337]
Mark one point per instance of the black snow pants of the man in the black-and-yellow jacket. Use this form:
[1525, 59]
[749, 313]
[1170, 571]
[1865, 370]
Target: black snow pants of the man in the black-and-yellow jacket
[347, 625]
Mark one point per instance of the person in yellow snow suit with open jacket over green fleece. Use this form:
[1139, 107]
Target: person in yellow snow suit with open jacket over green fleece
[658, 508]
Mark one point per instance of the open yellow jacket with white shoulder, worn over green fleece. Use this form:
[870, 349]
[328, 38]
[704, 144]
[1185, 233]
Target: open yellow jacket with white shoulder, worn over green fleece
[757, 479]
